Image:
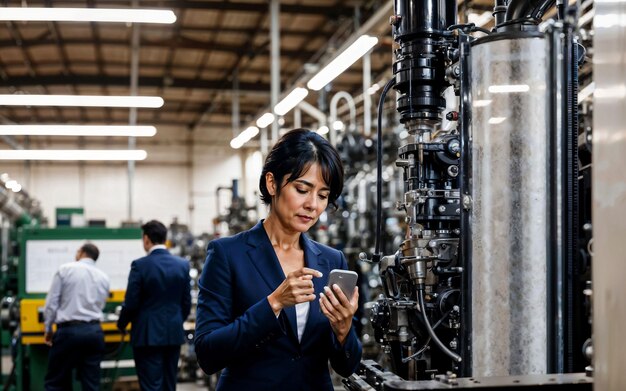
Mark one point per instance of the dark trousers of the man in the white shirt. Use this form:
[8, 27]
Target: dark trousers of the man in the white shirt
[80, 347]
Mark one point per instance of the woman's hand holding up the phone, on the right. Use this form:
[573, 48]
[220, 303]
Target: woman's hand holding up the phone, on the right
[339, 310]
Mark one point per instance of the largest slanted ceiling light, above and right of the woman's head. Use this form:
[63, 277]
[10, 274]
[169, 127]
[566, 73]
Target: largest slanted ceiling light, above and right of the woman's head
[342, 62]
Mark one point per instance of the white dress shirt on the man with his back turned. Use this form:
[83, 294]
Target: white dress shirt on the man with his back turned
[79, 291]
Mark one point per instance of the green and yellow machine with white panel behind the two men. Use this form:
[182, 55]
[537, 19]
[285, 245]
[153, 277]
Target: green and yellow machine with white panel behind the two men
[41, 252]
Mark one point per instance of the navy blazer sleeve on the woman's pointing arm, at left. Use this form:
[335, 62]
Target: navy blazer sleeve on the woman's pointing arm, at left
[220, 338]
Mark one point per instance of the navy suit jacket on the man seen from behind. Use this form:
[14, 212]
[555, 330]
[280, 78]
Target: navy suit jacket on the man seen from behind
[157, 301]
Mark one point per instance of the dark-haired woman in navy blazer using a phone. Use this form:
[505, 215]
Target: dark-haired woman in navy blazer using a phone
[264, 311]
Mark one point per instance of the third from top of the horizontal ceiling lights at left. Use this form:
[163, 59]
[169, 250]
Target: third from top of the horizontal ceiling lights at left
[77, 130]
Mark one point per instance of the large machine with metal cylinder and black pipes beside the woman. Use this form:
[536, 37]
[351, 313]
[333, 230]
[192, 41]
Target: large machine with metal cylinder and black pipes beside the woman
[487, 281]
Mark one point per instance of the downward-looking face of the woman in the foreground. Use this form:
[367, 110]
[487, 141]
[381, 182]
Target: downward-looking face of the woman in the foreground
[301, 201]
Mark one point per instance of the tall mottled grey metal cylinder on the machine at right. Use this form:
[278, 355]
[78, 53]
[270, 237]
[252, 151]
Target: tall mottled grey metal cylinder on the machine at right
[509, 222]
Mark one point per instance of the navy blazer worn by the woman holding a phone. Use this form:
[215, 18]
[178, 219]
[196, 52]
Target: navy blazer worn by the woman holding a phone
[236, 328]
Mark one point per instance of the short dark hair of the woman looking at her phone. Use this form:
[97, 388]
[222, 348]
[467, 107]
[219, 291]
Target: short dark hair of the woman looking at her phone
[292, 156]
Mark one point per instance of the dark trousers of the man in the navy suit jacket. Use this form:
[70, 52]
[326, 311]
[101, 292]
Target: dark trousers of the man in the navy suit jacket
[156, 366]
